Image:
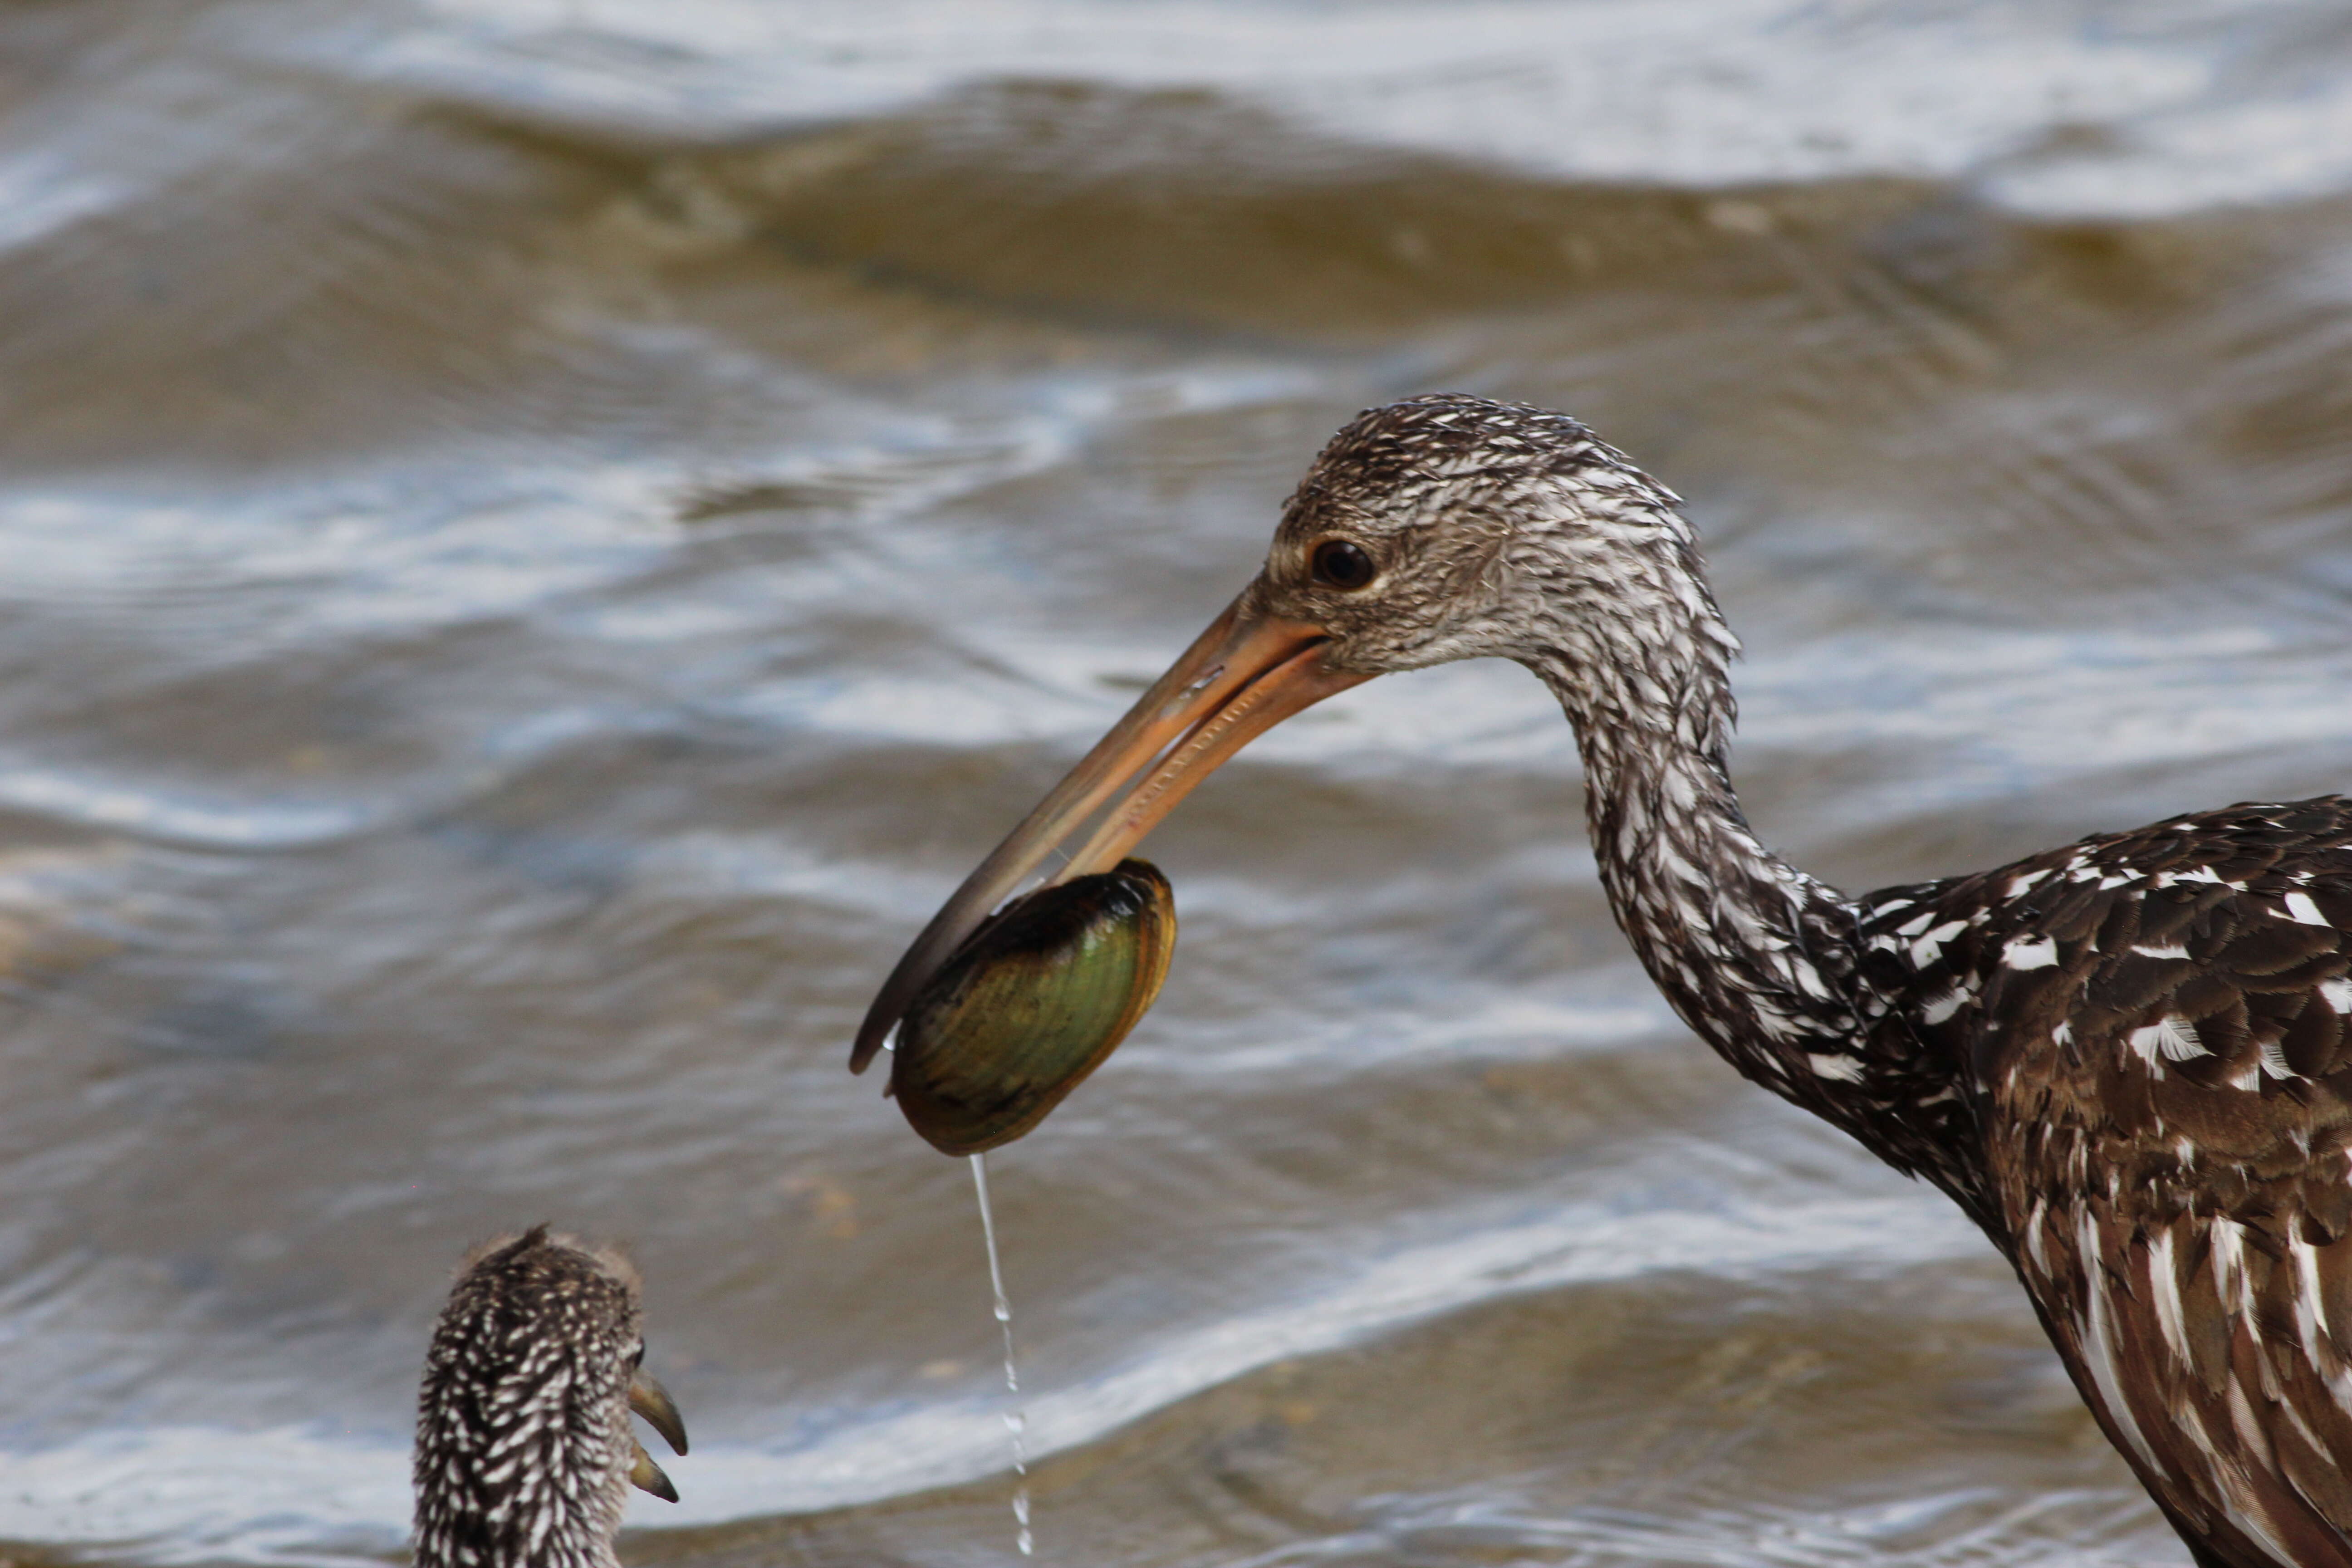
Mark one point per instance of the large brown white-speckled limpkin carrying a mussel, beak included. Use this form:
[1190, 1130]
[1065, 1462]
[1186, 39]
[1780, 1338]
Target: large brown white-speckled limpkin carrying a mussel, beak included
[2123, 1059]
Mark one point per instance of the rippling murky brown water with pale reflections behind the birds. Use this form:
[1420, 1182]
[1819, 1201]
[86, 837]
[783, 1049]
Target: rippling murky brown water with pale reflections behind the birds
[542, 537]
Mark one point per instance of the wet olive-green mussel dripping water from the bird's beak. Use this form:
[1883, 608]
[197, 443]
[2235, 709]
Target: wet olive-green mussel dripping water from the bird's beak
[1031, 1005]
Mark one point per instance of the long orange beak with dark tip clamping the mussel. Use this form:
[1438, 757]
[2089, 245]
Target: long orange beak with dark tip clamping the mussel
[1238, 681]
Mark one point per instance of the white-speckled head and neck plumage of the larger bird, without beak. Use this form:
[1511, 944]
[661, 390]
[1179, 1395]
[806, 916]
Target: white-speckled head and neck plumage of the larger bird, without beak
[1518, 532]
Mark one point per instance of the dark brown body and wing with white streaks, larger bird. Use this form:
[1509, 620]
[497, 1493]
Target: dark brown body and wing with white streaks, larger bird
[2153, 1033]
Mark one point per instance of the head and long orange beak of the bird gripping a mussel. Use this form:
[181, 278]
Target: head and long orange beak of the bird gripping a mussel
[1429, 530]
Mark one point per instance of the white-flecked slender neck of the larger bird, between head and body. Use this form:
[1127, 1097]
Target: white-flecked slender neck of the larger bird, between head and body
[1758, 958]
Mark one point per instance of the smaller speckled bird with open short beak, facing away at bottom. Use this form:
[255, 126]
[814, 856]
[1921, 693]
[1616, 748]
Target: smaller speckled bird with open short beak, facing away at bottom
[523, 1440]
